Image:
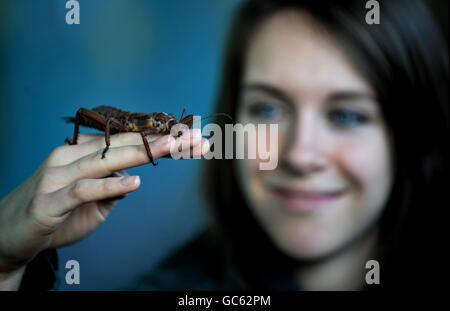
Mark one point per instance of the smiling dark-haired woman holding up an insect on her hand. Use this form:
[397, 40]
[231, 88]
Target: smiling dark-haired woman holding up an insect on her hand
[362, 132]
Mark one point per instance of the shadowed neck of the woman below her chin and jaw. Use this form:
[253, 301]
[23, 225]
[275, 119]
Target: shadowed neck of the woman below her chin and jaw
[344, 271]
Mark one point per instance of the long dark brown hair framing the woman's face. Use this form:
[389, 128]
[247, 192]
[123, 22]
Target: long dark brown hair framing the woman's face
[406, 61]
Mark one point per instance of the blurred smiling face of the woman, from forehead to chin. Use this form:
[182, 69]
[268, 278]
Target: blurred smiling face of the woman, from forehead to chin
[334, 171]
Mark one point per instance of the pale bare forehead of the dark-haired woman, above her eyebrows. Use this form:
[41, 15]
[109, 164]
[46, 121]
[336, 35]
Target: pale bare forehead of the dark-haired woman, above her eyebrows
[292, 50]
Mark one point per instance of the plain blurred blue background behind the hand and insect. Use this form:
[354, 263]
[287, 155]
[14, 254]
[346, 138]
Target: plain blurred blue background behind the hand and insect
[142, 56]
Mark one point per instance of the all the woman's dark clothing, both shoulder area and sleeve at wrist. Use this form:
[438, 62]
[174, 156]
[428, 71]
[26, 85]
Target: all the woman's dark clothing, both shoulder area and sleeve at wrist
[200, 265]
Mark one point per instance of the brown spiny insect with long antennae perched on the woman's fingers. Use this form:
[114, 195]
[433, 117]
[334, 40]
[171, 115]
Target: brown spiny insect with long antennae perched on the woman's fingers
[112, 120]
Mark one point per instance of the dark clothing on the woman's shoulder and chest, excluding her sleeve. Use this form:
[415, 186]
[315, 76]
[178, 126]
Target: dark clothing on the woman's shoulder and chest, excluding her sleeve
[201, 265]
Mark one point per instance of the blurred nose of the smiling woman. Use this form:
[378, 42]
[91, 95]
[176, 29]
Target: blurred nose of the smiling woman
[304, 148]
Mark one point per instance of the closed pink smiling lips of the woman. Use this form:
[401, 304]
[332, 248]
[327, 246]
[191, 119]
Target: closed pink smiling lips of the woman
[305, 200]
